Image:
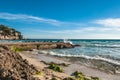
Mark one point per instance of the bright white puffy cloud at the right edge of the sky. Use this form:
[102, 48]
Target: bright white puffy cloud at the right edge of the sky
[110, 22]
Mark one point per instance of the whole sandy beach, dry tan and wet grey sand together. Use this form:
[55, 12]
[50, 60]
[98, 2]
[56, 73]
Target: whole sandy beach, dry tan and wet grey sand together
[38, 59]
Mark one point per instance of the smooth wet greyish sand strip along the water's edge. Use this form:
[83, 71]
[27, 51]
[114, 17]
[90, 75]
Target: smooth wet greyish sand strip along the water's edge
[72, 67]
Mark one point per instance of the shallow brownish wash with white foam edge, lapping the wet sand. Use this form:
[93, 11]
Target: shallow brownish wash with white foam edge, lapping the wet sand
[101, 64]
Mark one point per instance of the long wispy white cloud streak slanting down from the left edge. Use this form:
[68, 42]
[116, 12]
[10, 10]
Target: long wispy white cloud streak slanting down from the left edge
[23, 17]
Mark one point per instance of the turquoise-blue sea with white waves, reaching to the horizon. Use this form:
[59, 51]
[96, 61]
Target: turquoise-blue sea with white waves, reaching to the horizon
[108, 50]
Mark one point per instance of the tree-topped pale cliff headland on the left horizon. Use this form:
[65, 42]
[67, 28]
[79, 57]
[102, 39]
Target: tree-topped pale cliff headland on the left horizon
[9, 33]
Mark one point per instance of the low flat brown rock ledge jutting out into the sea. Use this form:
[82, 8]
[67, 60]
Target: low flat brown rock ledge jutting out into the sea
[40, 45]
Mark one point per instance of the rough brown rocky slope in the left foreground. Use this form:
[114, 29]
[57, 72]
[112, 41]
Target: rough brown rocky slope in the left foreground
[13, 67]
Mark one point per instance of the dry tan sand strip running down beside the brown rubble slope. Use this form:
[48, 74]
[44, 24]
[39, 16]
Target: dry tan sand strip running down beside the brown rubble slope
[47, 73]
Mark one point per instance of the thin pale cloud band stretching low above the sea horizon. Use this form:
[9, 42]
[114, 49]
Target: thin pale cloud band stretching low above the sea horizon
[74, 31]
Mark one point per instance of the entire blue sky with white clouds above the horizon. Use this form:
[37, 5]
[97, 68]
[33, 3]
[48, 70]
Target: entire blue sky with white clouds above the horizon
[76, 19]
